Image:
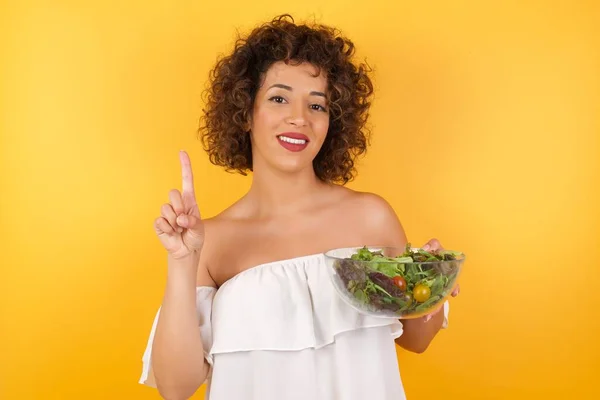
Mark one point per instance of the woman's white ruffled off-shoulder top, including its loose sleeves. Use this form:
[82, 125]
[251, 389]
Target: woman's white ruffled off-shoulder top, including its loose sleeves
[278, 331]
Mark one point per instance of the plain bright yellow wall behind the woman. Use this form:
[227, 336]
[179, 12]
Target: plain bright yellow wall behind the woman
[487, 136]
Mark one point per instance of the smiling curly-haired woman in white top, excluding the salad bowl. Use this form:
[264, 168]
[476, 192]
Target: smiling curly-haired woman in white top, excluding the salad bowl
[248, 306]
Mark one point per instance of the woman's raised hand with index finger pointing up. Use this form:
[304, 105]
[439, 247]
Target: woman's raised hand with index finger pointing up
[180, 227]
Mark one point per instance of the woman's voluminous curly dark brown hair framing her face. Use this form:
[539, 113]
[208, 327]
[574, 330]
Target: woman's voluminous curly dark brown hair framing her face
[236, 78]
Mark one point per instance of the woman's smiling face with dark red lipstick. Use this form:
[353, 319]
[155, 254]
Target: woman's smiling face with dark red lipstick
[290, 118]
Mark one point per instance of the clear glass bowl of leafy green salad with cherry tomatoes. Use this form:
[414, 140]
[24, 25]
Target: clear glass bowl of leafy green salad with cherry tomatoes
[411, 283]
